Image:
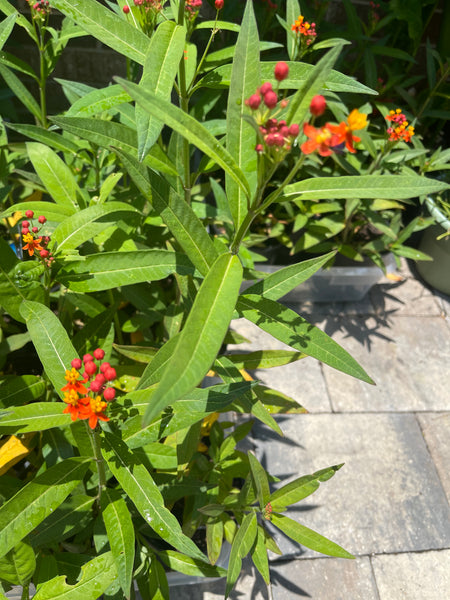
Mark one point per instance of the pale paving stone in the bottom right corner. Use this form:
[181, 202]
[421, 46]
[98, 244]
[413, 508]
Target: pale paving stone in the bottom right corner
[424, 576]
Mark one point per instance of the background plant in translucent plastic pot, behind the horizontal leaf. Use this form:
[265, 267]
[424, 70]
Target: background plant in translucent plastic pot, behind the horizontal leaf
[369, 233]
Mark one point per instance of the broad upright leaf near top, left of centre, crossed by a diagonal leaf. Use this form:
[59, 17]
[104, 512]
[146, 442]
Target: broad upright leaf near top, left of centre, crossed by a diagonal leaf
[160, 68]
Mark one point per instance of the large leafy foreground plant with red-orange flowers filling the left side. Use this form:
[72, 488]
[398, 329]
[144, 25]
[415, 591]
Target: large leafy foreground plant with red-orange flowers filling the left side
[114, 456]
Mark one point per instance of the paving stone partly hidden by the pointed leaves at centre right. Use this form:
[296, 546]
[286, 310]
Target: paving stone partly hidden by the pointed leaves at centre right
[303, 380]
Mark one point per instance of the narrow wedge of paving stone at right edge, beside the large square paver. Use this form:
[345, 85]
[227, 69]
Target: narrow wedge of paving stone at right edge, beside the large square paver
[436, 431]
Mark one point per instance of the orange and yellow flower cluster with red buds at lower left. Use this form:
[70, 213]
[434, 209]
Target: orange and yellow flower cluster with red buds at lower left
[87, 403]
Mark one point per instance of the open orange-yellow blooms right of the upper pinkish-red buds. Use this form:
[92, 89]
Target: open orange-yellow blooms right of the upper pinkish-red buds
[330, 138]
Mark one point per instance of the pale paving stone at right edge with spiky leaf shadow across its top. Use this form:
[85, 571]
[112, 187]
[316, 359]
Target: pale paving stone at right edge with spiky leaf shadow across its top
[409, 360]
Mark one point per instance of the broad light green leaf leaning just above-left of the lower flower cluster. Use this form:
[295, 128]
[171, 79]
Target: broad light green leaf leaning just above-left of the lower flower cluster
[51, 341]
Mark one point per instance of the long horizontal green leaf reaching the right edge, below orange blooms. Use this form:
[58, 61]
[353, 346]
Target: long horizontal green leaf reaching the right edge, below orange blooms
[391, 187]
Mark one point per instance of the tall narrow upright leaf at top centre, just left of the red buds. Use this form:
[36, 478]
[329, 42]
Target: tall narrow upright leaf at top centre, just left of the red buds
[245, 78]
